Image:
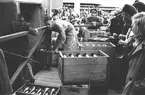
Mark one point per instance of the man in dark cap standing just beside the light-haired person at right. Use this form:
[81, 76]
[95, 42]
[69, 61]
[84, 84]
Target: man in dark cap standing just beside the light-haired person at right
[128, 11]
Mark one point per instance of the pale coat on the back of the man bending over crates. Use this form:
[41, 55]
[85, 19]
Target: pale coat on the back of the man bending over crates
[67, 34]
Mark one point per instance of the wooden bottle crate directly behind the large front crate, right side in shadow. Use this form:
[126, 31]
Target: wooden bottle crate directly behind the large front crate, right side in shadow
[110, 50]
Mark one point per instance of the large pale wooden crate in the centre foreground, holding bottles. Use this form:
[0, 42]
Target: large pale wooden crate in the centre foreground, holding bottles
[74, 70]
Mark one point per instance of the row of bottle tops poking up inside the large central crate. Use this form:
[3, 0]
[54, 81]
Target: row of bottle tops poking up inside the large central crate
[80, 55]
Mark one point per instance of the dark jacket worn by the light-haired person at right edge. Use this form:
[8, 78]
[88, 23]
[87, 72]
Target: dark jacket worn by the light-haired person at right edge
[136, 70]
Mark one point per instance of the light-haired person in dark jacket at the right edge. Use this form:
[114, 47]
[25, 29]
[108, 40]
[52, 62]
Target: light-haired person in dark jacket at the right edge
[135, 80]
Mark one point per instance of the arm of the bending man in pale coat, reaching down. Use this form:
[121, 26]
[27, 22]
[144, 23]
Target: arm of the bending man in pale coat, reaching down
[60, 39]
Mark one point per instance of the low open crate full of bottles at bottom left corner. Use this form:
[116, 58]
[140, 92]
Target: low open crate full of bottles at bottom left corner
[32, 89]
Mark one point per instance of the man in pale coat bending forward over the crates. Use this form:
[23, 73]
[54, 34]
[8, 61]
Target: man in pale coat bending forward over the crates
[67, 38]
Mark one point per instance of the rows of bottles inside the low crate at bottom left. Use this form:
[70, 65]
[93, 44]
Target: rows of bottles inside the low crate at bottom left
[33, 90]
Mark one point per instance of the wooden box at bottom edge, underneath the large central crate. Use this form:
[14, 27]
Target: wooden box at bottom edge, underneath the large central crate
[82, 89]
